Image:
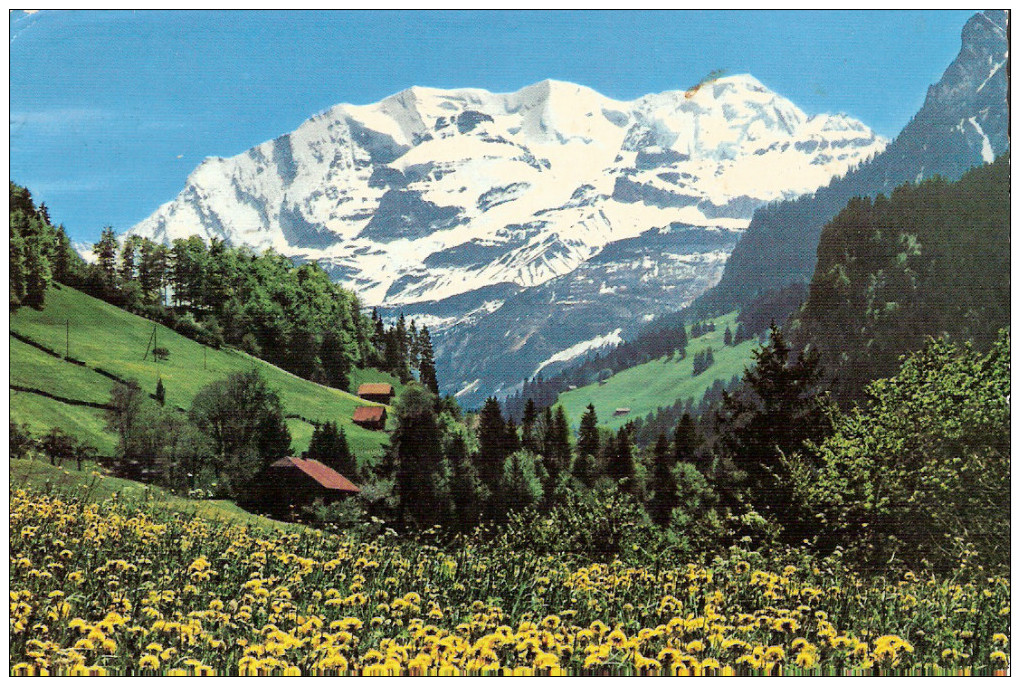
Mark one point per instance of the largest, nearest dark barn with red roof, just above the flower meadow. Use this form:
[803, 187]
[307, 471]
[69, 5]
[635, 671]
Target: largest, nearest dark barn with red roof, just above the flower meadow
[291, 484]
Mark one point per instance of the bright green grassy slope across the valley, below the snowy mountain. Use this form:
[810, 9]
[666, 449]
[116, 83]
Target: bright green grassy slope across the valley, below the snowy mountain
[660, 383]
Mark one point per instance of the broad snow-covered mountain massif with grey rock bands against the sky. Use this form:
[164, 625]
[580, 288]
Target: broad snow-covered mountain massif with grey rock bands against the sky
[460, 200]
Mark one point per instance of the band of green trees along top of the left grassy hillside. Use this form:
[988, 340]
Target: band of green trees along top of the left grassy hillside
[291, 316]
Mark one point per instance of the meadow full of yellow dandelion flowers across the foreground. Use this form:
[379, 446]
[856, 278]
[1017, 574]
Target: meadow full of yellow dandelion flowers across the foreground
[114, 589]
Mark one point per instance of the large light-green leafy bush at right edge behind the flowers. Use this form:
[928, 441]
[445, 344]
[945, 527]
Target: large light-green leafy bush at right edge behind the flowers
[932, 449]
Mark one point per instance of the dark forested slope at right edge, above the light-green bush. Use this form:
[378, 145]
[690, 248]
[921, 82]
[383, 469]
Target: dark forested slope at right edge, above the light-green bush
[932, 259]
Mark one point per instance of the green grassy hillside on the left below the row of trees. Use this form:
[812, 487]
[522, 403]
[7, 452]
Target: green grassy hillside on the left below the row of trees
[106, 337]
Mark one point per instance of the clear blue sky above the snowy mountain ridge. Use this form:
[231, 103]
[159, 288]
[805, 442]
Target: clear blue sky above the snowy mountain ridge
[111, 112]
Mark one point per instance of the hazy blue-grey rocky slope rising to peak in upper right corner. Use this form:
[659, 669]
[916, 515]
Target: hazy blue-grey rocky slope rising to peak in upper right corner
[964, 123]
